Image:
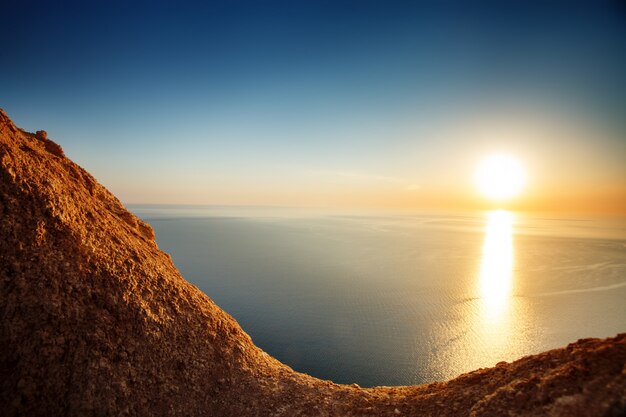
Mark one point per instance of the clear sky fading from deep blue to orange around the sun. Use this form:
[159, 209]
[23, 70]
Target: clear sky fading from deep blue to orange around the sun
[357, 104]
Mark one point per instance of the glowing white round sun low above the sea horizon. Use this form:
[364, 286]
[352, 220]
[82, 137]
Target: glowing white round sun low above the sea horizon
[500, 177]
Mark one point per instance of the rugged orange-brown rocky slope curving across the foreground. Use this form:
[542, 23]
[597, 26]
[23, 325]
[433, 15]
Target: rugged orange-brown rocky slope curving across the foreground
[96, 320]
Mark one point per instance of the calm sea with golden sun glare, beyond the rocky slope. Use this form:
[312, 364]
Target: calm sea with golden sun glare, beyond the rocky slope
[400, 298]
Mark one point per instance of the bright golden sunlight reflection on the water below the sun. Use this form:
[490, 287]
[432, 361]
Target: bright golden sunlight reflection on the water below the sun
[492, 322]
